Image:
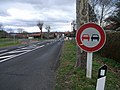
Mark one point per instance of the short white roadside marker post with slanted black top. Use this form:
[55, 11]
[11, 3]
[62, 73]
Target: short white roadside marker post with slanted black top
[101, 78]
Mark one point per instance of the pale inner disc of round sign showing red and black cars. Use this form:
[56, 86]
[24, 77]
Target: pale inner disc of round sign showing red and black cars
[90, 37]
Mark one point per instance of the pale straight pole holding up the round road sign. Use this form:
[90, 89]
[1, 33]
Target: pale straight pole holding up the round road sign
[89, 65]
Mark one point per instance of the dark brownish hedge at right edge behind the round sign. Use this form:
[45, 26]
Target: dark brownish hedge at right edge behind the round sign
[111, 48]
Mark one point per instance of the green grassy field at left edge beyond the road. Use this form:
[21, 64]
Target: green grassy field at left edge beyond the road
[4, 42]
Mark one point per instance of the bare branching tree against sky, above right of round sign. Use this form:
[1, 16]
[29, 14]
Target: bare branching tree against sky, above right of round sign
[102, 8]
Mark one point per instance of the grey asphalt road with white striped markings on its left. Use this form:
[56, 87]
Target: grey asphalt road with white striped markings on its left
[30, 67]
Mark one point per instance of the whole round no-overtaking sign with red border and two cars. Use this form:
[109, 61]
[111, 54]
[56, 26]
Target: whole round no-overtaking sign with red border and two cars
[90, 37]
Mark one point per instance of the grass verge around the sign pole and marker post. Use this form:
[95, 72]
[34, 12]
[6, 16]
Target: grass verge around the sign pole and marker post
[70, 78]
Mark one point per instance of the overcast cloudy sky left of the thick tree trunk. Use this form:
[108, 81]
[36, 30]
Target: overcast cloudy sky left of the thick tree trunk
[26, 13]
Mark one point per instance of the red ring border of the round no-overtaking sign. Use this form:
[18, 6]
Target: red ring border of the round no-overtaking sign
[100, 30]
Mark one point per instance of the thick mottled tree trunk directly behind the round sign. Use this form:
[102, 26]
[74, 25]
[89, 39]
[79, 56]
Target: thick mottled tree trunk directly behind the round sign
[82, 17]
